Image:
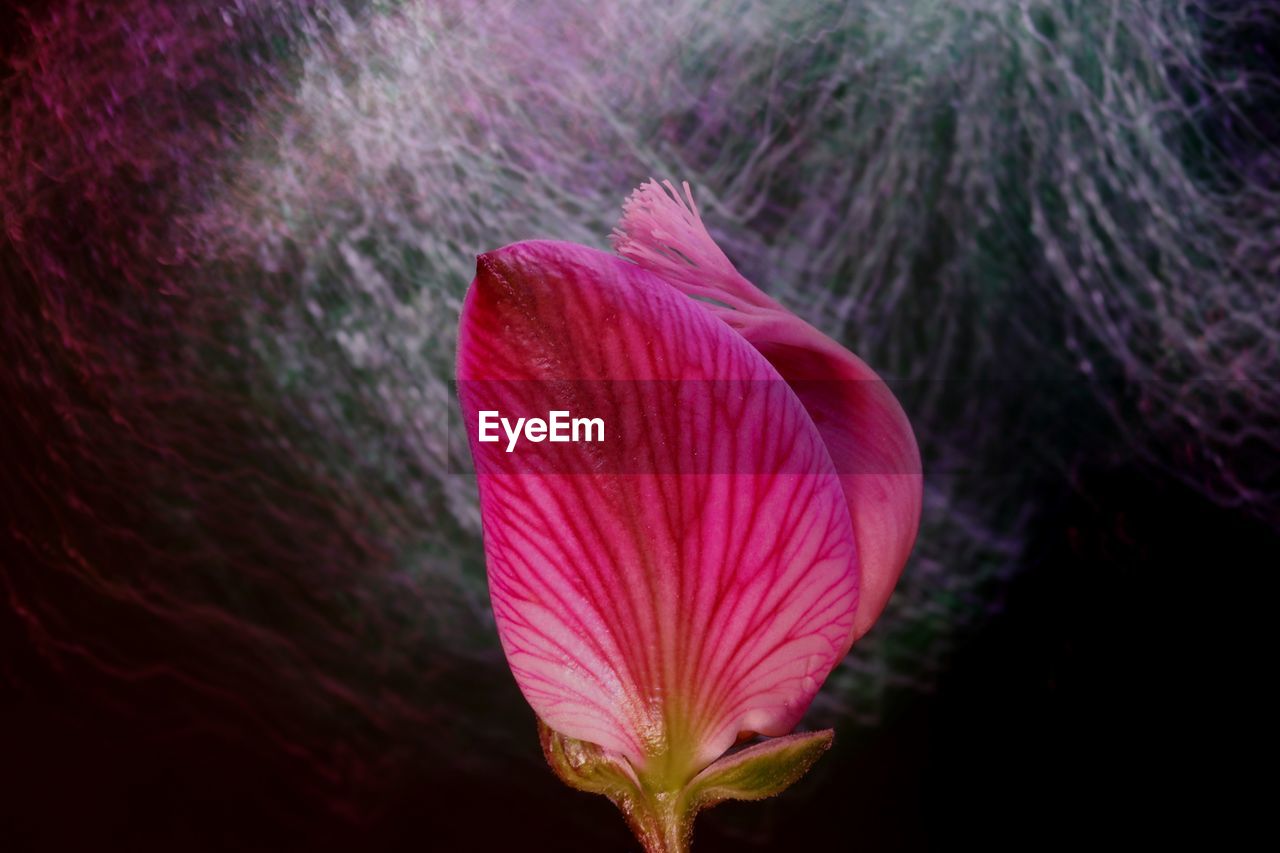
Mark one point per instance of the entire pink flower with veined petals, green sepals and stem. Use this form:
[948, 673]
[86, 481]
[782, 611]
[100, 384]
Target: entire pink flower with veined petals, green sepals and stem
[692, 578]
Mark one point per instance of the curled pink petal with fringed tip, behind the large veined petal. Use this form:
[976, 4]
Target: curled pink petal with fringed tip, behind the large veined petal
[866, 430]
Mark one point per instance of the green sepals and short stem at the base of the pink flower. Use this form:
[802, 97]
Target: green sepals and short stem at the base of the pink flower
[664, 820]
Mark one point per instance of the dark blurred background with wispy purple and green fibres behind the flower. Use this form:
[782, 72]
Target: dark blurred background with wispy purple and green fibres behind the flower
[243, 596]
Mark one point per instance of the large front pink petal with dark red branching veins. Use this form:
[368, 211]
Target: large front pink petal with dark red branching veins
[701, 578]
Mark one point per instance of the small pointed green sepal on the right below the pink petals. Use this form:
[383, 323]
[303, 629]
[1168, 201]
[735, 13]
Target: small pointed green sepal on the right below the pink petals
[758, 772]
